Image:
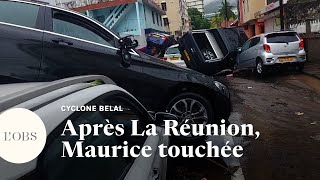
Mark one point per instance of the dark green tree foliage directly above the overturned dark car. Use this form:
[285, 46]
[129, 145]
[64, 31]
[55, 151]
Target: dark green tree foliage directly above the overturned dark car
[197, 19]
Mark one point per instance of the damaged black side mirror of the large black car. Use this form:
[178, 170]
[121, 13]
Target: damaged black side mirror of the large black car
[126, 44]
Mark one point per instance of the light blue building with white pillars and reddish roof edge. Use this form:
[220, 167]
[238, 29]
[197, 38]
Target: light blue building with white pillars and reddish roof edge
[126, 17]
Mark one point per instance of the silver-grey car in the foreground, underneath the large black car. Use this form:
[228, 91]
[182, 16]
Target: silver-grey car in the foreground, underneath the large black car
[46, 99]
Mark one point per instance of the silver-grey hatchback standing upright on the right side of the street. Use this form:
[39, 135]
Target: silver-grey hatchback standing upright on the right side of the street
[272, 49]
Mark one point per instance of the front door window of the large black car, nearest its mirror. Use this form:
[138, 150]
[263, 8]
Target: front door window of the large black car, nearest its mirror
[78, 27]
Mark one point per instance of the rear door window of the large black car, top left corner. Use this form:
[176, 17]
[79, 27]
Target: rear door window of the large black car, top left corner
[19, 13]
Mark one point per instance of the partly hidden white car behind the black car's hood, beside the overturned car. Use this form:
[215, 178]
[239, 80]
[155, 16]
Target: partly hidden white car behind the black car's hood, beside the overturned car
[173, 55]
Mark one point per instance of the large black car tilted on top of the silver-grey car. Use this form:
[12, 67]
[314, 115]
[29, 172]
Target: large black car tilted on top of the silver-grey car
[43, 43]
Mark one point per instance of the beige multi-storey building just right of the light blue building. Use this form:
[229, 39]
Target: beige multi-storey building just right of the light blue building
[176, 20]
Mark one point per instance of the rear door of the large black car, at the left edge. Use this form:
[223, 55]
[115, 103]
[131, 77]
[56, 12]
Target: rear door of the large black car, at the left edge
[21, 32]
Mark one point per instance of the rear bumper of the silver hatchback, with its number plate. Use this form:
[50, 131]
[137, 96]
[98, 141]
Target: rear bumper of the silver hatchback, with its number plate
[271, 59]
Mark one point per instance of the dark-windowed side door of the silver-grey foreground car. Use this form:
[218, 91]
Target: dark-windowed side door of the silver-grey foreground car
[52, 166]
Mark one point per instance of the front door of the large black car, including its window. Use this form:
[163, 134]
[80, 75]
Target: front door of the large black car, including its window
[75, 45]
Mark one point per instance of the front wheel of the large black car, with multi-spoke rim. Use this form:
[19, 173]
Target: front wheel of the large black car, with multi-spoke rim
[191, 108]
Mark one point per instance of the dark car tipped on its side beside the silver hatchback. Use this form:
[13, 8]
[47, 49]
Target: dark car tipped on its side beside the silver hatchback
[212, 50]
